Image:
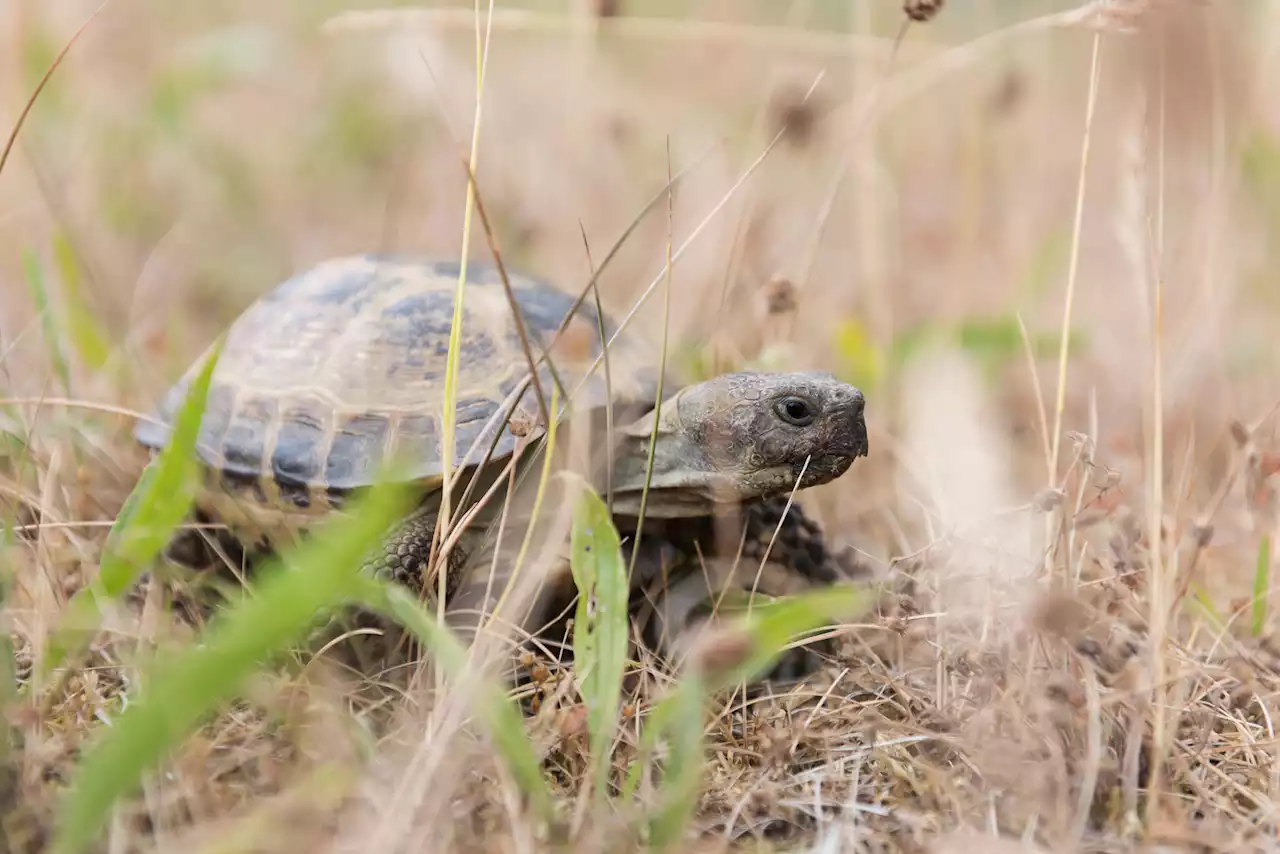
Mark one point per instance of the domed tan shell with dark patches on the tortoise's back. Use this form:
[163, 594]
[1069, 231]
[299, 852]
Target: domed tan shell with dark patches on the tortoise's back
[342, 364]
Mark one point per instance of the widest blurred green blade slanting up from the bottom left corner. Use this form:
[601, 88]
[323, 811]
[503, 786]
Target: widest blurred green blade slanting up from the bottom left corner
[185, 687]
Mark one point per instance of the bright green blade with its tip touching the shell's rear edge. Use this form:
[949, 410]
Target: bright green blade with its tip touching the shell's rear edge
[156, 508]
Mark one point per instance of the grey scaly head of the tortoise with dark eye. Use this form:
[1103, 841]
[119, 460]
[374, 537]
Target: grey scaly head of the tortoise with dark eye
[740, 437]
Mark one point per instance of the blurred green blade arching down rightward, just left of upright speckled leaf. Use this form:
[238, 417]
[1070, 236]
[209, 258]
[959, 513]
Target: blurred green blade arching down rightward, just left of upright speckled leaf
[497, 711]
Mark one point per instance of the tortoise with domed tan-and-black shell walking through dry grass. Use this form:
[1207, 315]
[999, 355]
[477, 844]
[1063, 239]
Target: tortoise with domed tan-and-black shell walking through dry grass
[345, 363]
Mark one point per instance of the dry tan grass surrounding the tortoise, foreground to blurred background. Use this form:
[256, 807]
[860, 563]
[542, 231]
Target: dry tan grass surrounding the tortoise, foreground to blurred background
[1072, 659]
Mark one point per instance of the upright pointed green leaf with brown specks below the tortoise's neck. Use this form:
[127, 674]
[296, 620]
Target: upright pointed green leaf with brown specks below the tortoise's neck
[601, 625]
